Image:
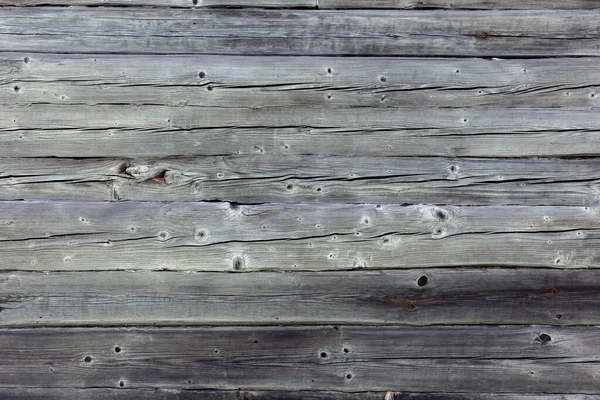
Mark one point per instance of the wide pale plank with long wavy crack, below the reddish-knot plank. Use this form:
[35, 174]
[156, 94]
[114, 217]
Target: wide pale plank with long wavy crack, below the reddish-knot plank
[228, 237]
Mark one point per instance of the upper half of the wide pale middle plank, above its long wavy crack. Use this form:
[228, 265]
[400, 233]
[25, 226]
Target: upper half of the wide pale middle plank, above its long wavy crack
[211, 223]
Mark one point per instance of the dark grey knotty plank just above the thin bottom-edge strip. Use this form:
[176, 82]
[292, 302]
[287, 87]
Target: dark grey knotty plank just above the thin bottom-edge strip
[291, 359]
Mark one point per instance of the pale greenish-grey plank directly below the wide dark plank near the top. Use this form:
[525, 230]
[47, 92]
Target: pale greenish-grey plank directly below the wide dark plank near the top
[297, 81]
